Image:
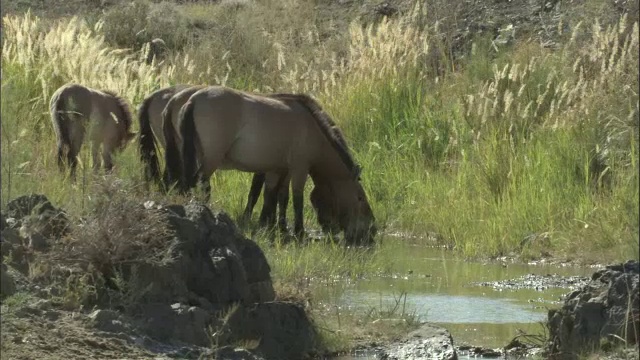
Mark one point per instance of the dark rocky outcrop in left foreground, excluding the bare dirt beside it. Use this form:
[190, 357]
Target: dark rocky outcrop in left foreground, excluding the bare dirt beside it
[214, 292]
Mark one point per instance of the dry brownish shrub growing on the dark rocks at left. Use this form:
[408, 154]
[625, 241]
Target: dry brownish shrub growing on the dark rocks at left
[103, 253]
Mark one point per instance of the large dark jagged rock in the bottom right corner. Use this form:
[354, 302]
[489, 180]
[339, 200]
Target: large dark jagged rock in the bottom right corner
[606, 308]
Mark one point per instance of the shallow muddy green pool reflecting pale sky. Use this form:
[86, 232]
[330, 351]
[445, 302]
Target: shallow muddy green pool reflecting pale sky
[440, 289]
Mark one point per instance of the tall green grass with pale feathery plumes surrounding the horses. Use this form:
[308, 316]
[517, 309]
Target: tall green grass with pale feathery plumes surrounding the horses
[484, 151]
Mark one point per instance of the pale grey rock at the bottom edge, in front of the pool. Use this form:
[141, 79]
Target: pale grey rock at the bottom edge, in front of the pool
[427, 342]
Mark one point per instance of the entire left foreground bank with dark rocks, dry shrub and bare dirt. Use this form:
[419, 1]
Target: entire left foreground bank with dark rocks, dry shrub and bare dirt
[138, 280]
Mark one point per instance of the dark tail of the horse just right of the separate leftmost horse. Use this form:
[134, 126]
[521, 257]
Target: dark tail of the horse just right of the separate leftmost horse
[147, 143]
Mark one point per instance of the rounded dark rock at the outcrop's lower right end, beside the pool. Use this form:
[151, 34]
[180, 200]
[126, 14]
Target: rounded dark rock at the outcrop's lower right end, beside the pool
[281, 330]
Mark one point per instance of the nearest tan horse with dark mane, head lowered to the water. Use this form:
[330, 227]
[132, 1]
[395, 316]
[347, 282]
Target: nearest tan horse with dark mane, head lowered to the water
[288, 134]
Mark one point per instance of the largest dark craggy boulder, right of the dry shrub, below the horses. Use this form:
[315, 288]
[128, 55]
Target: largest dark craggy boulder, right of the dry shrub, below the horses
[214, 263]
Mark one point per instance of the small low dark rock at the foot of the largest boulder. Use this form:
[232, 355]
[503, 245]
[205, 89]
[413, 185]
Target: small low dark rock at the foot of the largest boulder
[168, 323]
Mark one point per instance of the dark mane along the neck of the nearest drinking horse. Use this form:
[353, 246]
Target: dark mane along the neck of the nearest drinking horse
[327, 125]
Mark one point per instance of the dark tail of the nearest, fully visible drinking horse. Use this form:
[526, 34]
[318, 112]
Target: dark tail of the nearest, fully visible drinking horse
[188, 132]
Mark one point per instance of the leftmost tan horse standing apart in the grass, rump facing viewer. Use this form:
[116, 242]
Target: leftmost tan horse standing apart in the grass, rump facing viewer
[74, 109]
